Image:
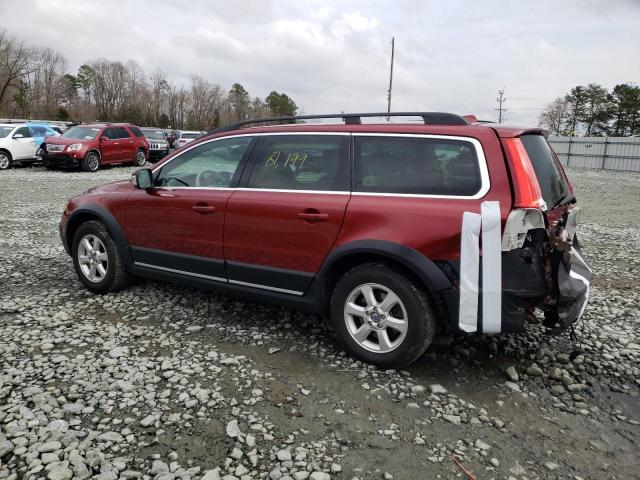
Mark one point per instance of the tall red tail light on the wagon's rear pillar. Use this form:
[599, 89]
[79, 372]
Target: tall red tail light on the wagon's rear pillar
[525, 182]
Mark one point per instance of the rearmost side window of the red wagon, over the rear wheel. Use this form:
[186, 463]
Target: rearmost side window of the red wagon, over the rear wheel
[416, 165]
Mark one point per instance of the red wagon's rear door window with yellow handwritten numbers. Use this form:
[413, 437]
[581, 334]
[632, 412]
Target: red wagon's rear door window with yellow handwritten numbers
[302, 162]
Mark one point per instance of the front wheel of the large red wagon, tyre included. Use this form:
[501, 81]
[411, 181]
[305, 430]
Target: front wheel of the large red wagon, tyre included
[96, 258]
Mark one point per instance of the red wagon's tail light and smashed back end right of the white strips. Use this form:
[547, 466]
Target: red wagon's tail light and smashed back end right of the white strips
[543, 266]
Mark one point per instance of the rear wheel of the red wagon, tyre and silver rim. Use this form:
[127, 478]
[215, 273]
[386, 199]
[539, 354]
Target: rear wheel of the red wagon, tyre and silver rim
[382, 316]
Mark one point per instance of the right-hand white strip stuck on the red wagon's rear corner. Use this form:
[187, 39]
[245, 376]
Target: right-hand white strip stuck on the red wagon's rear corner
[491, 268]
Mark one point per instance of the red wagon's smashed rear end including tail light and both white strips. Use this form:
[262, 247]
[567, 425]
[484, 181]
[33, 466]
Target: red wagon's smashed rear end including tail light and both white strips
[526, 259]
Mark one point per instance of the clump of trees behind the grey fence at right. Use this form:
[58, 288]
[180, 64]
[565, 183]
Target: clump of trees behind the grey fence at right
[592, 110]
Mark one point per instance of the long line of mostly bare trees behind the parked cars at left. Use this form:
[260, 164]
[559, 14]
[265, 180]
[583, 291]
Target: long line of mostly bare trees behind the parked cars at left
[35, 83]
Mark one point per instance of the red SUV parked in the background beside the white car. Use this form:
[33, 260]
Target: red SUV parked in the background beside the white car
[92, 145]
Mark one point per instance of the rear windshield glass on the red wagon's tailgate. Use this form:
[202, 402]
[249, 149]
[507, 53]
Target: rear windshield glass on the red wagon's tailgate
[553, 183]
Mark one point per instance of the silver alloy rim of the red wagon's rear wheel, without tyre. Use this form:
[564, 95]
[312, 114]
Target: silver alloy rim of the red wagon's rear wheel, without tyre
[376, 318]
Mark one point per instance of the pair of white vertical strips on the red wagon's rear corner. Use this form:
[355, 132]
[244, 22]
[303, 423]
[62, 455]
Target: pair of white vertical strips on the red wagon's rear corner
[489, 221]
